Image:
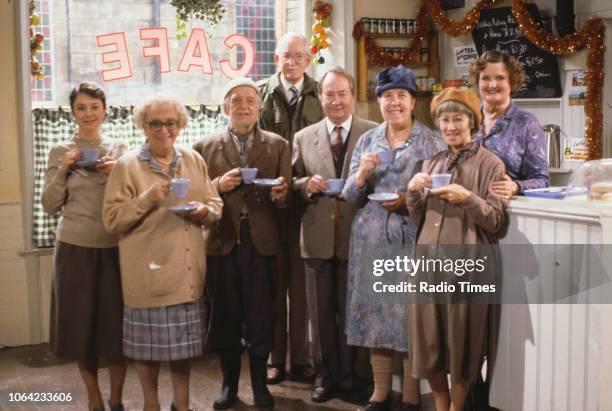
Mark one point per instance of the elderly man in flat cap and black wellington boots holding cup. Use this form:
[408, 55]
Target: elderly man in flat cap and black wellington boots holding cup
[242, 247]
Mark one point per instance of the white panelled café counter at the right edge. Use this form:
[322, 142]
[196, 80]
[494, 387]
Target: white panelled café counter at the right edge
[558, 355]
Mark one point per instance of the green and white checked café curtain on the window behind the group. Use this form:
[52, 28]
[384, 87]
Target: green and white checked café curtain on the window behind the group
[52, 126]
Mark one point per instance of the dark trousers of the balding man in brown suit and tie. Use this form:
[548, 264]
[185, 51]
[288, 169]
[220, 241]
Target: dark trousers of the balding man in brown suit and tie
[334, 359]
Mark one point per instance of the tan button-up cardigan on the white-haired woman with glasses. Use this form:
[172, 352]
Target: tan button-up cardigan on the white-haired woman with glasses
[161, 254]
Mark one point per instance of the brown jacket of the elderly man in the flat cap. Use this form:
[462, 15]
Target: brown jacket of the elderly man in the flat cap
[271, 155]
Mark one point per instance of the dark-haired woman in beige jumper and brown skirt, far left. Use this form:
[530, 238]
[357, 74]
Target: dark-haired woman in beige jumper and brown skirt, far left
[86, 302]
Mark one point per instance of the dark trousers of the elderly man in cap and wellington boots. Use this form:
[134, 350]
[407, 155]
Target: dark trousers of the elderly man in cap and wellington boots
[241, 290]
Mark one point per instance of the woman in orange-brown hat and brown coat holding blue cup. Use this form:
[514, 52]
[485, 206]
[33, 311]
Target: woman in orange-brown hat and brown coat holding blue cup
[452, 337]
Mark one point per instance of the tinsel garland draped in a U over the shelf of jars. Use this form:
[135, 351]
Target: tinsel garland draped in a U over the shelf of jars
[379, 56]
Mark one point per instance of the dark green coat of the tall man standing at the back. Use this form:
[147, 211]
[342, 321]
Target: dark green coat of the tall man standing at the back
[274, 115]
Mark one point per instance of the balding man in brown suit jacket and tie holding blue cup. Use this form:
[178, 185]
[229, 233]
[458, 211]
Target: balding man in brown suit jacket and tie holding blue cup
[323, 151]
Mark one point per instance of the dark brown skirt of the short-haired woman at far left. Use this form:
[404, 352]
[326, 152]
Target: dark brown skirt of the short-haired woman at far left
[86, 303]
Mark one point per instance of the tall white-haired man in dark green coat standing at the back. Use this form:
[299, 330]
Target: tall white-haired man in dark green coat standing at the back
[290, 103]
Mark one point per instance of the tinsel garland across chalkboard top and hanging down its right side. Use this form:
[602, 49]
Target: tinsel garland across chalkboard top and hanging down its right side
[591, 35]
